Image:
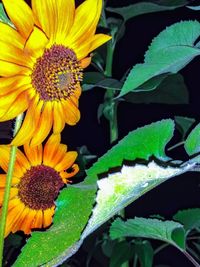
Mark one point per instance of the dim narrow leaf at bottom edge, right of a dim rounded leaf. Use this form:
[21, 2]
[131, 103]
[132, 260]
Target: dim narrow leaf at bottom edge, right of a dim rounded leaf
[145, 252]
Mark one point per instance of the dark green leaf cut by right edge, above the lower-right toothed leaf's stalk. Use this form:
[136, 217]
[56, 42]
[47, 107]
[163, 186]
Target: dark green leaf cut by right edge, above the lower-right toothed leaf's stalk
[190, 218]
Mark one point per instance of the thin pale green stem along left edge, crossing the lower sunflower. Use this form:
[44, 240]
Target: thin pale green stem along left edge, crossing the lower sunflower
[4, 209]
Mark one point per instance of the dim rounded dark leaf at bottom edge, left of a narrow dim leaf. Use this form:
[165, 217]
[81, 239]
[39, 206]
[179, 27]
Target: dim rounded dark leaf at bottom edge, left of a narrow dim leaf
[121, 253]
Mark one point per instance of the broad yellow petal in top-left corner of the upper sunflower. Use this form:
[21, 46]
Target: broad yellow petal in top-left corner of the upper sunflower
[21, 15]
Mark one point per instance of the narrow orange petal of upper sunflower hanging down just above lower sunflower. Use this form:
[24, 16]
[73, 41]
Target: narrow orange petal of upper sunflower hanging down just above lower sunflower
[44, 125]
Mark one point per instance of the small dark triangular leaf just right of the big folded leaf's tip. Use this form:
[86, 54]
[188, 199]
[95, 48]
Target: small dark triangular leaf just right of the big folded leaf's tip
[183, 124]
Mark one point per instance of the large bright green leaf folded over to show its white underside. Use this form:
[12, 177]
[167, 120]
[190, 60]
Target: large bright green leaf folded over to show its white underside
[75, 203]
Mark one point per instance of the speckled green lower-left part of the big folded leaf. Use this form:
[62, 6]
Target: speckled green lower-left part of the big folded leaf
[74, 205]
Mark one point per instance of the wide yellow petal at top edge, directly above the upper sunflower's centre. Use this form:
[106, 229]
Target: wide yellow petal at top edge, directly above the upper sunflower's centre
[55, 16]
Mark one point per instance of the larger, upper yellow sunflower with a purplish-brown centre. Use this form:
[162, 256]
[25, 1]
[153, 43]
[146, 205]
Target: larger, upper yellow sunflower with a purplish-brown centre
[42, 58]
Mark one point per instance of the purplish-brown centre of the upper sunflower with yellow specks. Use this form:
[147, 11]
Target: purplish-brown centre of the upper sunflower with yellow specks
[57, 73]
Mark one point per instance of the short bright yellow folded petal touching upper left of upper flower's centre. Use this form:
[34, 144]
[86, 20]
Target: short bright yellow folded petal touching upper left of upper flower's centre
[36, 43]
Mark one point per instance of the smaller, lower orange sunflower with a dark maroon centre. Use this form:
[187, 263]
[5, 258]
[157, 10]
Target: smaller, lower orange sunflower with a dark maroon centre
[38, 176]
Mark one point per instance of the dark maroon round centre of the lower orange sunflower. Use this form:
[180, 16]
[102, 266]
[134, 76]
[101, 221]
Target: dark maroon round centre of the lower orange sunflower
[39, 187]
